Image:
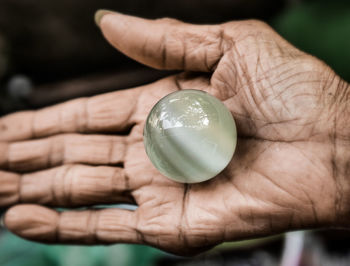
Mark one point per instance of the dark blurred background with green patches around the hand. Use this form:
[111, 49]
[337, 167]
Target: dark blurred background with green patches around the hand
[51, 51]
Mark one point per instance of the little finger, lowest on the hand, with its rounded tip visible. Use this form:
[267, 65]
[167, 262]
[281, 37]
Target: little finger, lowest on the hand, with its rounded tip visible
[80, 227]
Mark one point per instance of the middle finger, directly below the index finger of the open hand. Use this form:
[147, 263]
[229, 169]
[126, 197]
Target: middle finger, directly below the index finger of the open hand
[39, 154]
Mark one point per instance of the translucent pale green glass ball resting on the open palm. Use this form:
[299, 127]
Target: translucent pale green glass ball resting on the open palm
[190, 136]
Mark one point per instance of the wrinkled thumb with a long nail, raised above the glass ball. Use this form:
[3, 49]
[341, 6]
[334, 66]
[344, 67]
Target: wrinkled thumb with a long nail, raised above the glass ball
[164, 43]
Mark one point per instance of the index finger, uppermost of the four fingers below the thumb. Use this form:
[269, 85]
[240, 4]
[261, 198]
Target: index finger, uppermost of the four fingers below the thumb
[109, 112]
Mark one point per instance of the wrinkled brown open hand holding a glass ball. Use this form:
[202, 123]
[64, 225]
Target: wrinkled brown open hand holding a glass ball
[290, 170]
